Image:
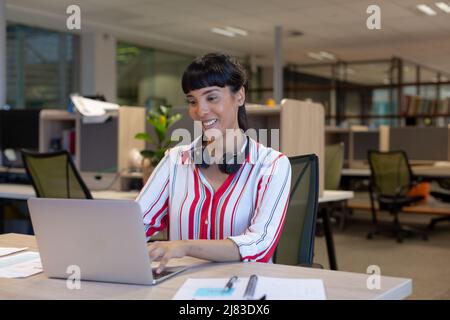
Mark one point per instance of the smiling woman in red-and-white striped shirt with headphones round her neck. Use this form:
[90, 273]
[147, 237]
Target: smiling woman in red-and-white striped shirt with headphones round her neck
[217, 212]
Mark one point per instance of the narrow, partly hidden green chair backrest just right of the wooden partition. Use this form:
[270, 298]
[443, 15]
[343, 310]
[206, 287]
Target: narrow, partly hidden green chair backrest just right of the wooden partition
[334, 161]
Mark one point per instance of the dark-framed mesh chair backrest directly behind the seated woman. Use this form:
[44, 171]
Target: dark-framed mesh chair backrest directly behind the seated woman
[296, 243]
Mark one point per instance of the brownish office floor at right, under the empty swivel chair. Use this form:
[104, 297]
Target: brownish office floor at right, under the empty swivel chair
[426, 262]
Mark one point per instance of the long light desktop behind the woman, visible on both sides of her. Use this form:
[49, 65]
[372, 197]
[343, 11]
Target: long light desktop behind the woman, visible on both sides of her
[23, 192]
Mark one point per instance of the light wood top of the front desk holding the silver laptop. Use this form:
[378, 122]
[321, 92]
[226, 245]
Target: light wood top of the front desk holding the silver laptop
[338, 284]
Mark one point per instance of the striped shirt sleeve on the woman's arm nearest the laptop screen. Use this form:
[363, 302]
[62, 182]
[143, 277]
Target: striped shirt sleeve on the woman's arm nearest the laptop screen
[154, 199]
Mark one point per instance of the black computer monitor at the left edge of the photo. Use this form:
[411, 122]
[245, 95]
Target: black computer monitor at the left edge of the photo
[18, 129]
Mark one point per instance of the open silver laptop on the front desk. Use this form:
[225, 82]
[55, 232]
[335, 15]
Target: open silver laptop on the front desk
[104, 238]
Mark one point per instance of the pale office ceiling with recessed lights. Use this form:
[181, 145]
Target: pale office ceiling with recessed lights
[335, 26]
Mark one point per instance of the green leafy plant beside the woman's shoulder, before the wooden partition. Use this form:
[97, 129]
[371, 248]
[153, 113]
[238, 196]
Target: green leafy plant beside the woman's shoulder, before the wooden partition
[160, 119]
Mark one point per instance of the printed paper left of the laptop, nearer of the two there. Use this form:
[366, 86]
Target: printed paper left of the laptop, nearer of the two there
[20, 265]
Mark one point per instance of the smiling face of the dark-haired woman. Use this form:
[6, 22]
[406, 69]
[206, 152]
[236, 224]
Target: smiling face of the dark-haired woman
[215, 107]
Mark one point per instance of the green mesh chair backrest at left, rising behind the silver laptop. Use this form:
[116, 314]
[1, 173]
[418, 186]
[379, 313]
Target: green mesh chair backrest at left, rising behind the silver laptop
[54, 175]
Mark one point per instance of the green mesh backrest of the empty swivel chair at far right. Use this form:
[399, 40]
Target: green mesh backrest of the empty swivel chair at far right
[391, 172]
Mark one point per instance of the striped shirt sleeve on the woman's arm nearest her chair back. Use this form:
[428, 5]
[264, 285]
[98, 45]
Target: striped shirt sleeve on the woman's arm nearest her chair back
[260, 239]
